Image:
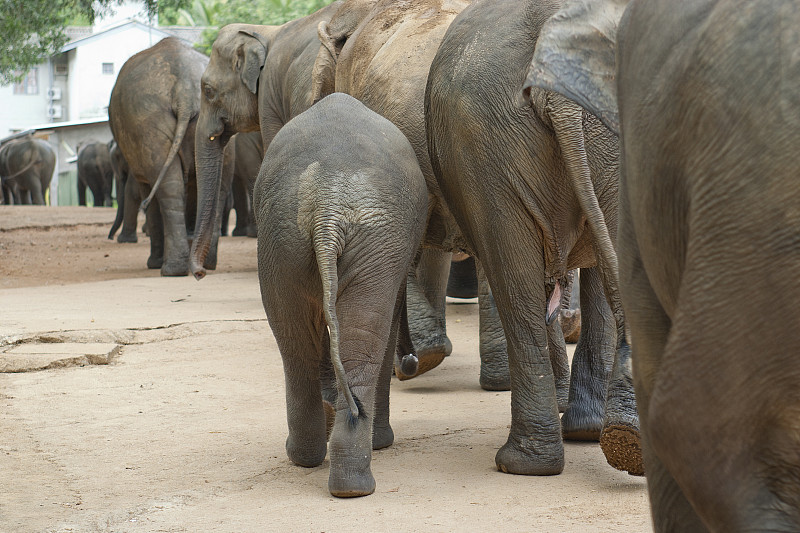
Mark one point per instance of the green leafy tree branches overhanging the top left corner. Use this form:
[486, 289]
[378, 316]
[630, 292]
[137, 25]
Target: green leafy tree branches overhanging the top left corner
[32, 30]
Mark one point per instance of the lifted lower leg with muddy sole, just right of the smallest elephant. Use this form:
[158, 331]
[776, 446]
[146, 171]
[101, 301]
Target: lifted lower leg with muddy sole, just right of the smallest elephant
[426, 289]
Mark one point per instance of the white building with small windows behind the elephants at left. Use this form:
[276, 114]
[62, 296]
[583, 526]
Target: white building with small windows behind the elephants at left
[73, 87]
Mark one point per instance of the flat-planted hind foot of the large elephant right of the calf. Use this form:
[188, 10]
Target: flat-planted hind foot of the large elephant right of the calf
[545, 459]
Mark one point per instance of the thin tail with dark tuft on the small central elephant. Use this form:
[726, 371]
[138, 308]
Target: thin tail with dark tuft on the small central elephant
[327, 247]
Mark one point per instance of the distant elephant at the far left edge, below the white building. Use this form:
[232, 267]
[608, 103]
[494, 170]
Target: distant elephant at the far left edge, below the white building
[26, 169]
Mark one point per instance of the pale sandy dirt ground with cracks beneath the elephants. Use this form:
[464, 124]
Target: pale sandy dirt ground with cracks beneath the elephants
[135, 403]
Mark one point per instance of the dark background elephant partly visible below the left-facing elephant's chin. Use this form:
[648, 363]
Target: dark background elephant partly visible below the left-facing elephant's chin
[247, 152]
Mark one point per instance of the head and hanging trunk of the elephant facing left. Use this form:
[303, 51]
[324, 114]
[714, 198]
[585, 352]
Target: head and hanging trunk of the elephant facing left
[229, 104]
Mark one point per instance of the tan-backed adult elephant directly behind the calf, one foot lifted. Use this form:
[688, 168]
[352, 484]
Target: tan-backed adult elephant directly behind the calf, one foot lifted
[380, 53]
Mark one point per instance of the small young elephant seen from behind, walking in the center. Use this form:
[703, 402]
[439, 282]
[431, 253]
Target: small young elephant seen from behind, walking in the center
[341, 205]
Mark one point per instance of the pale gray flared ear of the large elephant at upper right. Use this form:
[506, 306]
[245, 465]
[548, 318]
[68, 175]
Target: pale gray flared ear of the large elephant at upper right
[576, 56]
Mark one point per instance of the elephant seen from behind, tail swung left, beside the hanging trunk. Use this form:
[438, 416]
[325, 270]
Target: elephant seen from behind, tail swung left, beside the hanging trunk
[152, 113]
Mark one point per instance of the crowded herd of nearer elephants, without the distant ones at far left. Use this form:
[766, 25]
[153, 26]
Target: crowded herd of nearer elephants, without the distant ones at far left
[647, 143]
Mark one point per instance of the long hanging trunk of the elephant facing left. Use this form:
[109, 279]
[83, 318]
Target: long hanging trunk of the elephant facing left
[209, 153]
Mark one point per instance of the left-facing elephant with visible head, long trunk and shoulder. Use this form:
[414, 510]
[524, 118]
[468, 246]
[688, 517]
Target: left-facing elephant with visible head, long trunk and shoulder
[257, 79]
